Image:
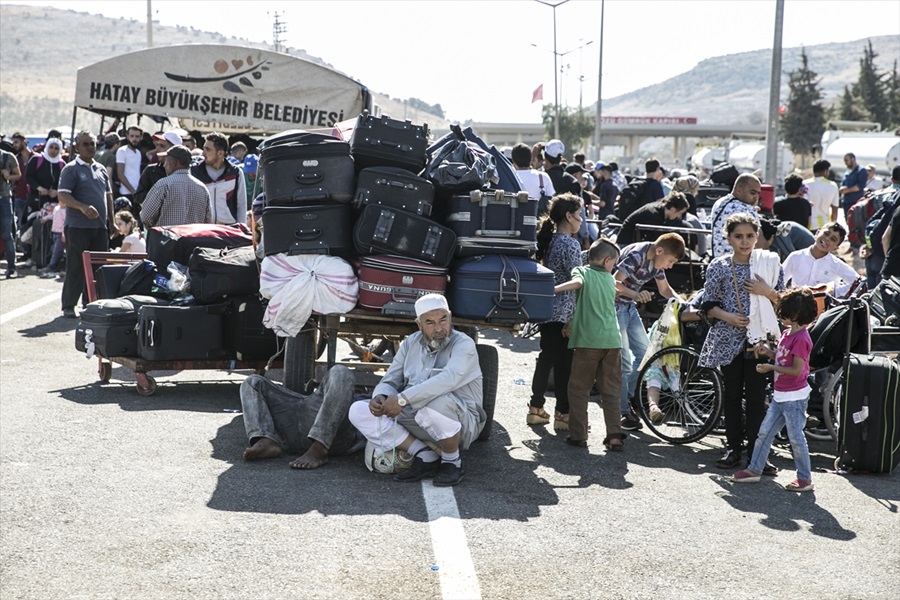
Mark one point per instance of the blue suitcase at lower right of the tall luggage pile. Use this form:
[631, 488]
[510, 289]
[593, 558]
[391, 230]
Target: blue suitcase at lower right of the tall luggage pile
[501, 289]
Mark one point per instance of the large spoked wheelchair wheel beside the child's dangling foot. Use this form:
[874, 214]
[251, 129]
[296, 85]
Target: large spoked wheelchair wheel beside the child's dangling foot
[690, 396]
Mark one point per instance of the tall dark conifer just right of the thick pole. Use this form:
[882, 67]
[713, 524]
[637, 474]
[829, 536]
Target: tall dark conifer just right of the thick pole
[804, 120]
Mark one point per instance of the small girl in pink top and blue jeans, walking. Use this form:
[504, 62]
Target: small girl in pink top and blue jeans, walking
[796, 309]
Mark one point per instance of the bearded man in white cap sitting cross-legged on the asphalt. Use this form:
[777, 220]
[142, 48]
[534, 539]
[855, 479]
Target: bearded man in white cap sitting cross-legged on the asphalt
[432, 392]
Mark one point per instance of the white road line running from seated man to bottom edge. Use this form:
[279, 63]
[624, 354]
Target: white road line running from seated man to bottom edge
[448, 539]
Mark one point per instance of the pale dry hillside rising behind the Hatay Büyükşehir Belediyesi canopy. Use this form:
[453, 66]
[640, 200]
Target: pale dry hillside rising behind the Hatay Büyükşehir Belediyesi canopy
[37, 86]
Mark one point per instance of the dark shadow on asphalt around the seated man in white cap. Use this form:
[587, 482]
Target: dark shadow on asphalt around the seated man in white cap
[496, 487]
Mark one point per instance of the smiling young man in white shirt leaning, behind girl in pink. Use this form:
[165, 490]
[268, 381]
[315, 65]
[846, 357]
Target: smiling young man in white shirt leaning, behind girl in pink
[817, 265]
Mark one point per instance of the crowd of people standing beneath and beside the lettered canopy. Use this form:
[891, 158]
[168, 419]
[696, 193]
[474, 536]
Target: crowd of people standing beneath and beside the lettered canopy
[101, 194]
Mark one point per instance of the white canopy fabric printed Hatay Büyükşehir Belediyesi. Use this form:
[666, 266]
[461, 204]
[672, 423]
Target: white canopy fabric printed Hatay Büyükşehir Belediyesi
[222, 87]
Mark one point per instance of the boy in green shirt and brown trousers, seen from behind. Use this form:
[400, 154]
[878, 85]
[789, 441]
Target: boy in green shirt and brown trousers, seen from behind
[595, 341]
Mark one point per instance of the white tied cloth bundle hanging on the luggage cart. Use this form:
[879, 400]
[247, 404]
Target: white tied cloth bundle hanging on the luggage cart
[297, 286]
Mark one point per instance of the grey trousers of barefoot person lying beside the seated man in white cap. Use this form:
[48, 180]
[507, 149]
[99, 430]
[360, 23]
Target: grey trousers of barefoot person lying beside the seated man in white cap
[294, 421]
